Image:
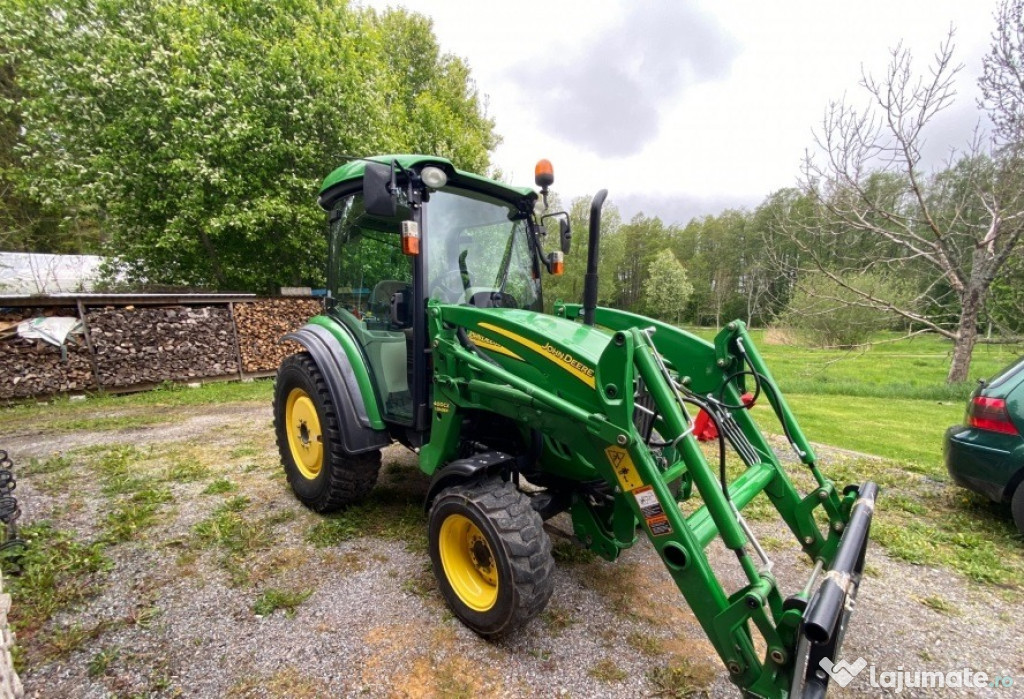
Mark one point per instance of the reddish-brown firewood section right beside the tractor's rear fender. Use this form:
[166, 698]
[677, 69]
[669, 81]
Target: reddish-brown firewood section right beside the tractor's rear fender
[263, 324]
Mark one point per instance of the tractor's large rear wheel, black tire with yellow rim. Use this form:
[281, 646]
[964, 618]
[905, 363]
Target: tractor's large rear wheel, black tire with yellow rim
[323, 476]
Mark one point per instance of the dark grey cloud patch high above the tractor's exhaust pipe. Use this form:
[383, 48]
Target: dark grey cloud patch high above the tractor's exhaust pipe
[607, 97]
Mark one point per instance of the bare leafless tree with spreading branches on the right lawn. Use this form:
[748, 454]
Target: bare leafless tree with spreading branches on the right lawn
[951, 231]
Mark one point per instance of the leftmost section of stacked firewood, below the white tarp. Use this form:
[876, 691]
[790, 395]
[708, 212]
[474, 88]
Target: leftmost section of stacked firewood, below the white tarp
[33, 368]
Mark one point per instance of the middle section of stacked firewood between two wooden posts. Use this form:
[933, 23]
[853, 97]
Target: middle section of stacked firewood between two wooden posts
[165, 343]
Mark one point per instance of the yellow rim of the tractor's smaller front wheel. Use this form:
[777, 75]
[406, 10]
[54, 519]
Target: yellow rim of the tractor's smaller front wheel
[470, 563]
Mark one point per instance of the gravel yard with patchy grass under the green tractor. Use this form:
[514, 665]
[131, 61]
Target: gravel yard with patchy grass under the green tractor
[179, 613]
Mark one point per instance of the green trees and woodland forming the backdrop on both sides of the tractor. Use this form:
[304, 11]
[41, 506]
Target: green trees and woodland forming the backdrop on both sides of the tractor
[185, 142]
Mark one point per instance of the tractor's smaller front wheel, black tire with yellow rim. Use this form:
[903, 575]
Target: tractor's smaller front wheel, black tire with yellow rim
[510, 548]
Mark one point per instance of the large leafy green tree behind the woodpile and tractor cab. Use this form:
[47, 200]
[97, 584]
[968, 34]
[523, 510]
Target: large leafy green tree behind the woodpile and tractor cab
[197, 134]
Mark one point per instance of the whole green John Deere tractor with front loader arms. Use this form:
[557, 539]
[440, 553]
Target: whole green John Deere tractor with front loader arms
[435, 336]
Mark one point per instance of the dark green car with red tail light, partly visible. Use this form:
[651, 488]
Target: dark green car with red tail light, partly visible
[987, 455]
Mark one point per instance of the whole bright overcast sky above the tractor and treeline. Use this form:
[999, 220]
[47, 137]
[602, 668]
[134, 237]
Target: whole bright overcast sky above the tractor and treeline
[686, 109]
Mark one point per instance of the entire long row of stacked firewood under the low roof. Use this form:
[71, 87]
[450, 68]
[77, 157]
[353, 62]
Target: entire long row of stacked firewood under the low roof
[134, 346]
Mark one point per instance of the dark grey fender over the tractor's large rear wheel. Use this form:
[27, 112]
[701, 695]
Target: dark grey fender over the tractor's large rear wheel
[362, 429]
